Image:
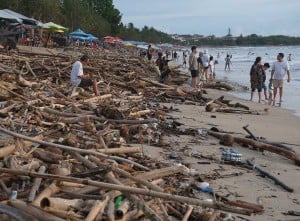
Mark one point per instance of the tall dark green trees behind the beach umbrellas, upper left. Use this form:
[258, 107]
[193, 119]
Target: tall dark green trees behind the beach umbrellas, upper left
[99, 17]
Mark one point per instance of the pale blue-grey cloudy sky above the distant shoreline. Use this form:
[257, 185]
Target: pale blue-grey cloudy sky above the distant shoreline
[214, 17]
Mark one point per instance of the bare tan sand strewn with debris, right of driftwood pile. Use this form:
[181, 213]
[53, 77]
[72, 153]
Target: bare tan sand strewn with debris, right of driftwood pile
[278, 125]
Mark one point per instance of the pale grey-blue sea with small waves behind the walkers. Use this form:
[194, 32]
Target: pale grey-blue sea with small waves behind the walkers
[244, 57]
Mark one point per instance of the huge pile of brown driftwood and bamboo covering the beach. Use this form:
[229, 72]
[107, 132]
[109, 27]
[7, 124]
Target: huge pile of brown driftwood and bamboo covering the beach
[67, 155]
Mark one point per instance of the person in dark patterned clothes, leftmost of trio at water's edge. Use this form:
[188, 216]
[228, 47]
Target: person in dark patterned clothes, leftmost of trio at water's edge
[256, 78]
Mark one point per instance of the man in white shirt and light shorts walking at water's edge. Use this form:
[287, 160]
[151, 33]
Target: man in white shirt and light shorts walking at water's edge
[279, 70]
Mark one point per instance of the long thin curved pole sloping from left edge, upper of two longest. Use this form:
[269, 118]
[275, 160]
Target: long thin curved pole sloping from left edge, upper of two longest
[68, 148]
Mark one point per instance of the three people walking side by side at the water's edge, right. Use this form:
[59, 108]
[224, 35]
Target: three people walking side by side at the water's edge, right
[280, 69]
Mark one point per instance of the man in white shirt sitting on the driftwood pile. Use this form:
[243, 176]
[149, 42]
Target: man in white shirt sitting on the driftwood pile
[81, 80]
